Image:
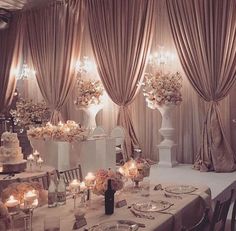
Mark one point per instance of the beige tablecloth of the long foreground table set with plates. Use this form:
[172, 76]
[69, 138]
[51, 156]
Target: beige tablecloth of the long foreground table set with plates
[186, 210]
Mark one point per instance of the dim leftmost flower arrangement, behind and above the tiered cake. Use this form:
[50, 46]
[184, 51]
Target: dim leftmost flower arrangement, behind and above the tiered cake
[29, 113]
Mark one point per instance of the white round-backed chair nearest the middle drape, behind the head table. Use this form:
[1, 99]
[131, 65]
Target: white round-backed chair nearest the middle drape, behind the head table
[118, 133]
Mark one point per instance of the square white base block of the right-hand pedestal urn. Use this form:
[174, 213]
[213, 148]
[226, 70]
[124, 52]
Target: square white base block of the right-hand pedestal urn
[167, 155]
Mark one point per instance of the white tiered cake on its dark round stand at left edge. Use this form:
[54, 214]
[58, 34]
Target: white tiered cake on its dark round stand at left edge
[11, 156]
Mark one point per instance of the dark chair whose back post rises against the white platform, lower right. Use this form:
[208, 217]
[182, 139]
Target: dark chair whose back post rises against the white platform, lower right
[220, 213]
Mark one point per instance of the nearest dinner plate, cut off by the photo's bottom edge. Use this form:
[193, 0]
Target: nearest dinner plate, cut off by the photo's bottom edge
[115, 226]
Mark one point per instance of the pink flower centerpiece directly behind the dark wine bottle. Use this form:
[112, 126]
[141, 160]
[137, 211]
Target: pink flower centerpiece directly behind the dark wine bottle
[101, 178]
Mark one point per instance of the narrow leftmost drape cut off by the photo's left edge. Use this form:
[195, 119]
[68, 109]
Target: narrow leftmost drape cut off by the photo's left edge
[10, 50]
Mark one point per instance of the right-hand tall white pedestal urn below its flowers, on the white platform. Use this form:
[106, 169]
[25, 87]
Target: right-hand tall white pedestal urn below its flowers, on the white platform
[167, 147]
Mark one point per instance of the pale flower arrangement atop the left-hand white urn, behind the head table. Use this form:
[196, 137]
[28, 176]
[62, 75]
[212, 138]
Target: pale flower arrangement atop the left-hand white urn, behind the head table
[88, 92]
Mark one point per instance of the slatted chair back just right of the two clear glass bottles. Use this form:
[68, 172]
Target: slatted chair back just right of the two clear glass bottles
[71, 174]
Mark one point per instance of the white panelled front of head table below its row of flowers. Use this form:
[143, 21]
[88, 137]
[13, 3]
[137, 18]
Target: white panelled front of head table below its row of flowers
[92, 154]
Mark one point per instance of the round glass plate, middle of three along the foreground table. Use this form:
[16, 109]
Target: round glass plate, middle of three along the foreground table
[152, 206]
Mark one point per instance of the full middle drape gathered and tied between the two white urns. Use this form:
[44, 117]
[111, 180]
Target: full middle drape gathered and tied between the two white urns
[121, 34]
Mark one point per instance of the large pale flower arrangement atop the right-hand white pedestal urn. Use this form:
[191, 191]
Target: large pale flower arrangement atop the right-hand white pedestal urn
[162, 88]
